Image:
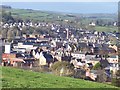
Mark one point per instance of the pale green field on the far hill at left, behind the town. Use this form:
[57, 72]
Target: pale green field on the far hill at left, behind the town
[34, 14]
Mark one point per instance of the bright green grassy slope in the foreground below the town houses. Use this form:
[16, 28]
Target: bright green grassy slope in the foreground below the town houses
[17, 78]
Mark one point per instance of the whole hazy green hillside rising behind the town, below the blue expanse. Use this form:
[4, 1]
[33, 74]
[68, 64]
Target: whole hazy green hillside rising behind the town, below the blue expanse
[75, 20]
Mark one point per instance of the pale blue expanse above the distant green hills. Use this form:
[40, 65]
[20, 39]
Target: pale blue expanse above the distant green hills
[68, 6]
